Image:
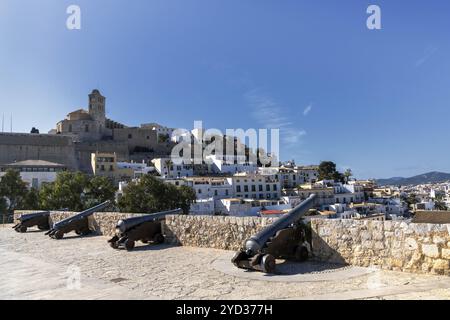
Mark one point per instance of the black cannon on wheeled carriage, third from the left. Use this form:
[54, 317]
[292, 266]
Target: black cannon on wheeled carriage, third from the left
[145, 228]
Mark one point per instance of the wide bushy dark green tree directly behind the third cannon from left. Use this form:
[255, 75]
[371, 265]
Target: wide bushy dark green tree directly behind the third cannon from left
[150, 194]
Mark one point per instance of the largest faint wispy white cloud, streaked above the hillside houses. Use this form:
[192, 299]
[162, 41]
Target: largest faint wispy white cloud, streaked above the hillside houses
[270, 115]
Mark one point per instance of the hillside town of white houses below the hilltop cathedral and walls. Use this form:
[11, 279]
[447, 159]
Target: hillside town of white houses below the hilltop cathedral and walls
[222, 186]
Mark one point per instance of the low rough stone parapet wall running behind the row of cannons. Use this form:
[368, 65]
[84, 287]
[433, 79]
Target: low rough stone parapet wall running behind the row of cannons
[398, 246]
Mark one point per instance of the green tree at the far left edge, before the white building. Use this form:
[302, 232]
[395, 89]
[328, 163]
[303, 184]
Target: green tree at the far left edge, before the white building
[13, 189]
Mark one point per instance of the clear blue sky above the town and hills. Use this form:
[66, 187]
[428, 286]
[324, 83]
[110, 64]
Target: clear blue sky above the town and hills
[377, 101]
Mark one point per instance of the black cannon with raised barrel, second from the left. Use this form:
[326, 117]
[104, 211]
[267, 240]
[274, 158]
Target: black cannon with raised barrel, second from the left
[78, 223]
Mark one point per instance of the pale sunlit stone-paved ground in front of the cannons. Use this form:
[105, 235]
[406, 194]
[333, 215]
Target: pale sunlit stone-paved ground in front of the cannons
[34, 266]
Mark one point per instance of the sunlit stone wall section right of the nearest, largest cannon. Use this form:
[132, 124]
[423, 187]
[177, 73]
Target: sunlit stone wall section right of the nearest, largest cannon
[398, 246]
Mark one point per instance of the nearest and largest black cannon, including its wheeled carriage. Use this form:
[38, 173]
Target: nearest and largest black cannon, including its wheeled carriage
[284, 239]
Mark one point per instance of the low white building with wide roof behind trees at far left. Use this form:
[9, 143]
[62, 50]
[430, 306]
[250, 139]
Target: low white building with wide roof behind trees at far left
[35, 172]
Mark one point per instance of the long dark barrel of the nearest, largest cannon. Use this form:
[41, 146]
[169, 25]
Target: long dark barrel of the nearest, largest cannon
[257, 242]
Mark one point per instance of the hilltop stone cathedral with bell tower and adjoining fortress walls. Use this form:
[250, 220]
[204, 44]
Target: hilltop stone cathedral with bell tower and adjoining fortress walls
[80, 134]
